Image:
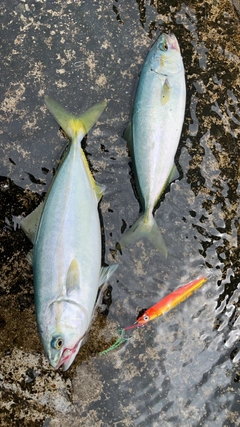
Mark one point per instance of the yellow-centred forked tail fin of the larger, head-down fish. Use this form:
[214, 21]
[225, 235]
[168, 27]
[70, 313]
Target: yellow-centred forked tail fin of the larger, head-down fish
[73, 125]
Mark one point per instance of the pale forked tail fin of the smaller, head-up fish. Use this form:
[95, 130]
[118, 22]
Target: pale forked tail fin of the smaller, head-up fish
[145, 227]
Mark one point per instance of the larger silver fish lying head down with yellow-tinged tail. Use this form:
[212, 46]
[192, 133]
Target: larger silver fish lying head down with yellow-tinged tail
[66, 235]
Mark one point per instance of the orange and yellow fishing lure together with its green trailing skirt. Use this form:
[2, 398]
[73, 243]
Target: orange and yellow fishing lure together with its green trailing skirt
[164, 305]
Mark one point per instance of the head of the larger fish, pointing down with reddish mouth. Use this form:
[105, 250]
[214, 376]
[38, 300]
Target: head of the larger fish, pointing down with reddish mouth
[63, 337]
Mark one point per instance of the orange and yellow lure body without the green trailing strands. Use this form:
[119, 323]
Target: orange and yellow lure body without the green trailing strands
[170, 301]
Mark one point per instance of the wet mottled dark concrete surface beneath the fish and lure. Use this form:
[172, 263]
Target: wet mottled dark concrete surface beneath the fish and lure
[183, 370]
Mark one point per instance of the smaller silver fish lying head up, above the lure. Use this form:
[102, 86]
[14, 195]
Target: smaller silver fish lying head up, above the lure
[155, 131]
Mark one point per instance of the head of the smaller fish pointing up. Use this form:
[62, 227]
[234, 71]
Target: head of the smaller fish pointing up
[166, 56]
